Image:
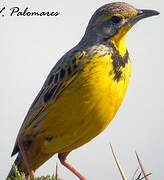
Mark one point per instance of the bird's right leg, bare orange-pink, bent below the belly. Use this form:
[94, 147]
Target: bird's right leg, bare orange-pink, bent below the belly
[62, 158]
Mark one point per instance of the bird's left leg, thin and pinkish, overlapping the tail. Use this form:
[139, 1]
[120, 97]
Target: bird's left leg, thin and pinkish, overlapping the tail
[25, 157]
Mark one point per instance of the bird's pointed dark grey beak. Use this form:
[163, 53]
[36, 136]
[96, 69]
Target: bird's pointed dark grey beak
[141, 14]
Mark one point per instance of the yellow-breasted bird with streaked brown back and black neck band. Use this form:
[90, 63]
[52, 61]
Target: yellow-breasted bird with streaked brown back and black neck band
[82, 92]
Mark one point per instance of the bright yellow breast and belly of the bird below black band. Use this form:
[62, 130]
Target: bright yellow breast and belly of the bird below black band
[87, 106]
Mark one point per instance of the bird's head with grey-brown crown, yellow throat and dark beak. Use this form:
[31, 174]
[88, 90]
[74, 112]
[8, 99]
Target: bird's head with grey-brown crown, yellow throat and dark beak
[113, 21]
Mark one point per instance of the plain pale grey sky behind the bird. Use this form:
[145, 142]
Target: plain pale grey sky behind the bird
[30, 47]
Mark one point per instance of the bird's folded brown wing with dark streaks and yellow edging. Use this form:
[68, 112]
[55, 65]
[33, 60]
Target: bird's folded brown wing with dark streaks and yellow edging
[62, 75]
